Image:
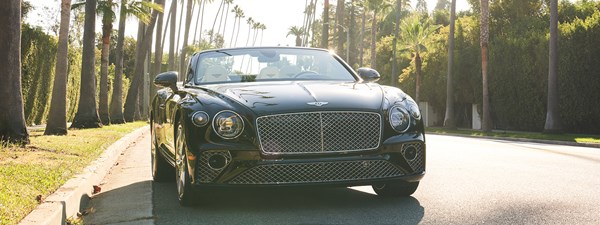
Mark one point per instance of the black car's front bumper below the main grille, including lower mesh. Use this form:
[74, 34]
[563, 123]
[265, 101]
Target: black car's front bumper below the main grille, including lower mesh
[396, 159]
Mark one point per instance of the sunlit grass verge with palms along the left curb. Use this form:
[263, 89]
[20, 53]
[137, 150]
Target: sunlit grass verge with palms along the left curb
[29, 174]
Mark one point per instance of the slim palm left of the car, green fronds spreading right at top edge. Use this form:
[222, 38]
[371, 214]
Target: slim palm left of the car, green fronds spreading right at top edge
[140, 10]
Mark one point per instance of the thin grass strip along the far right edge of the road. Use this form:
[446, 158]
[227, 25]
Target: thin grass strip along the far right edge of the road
[577, 138]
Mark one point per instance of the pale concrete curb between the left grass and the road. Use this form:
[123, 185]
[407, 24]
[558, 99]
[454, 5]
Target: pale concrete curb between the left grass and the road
[73, 196]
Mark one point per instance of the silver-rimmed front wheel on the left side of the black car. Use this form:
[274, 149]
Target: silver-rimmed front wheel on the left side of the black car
[185, 191]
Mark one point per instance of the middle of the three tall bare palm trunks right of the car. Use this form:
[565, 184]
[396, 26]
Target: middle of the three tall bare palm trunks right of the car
[486, 125]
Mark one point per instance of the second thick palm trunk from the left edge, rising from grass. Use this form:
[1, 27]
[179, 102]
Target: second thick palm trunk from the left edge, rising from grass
[57, 117]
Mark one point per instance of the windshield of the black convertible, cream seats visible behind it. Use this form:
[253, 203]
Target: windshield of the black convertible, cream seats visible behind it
[268, 64]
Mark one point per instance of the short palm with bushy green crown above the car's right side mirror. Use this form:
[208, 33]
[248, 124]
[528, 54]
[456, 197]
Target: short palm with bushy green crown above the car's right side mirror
[414, 39]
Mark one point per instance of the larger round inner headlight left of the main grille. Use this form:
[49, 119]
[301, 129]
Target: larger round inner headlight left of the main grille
[228, 124]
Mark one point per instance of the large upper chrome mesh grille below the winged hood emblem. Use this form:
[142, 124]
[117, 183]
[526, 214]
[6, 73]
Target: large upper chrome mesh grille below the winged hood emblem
[319, 132]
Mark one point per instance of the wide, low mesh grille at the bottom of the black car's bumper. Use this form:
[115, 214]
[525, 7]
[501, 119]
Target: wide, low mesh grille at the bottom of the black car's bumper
[299, 173]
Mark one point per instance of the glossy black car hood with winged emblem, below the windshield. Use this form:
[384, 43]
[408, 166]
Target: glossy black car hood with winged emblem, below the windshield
[266, 98]
